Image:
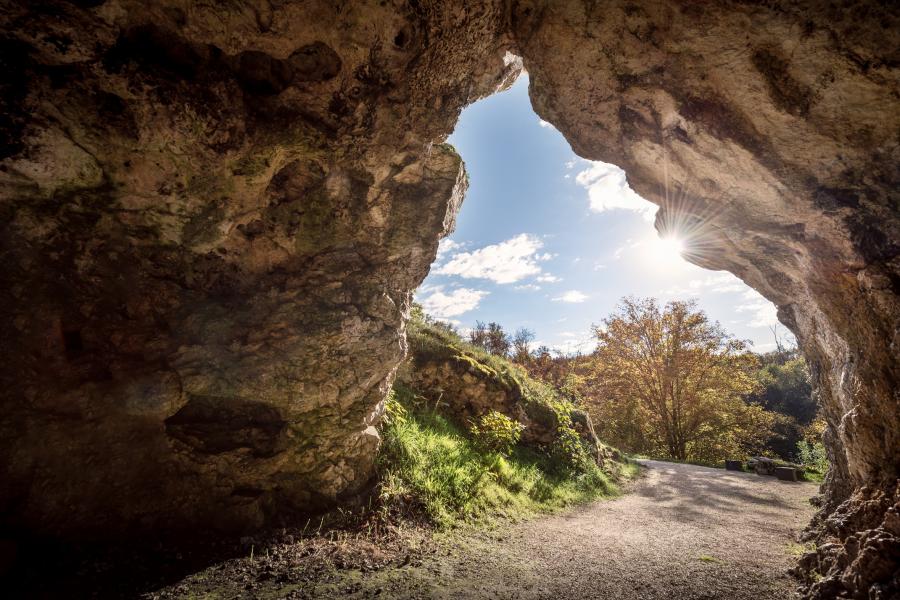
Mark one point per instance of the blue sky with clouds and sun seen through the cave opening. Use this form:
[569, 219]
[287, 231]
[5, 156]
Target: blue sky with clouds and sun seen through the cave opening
[551, 242]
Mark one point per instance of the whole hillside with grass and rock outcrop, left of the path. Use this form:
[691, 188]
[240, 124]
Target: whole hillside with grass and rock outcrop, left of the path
[469, 436]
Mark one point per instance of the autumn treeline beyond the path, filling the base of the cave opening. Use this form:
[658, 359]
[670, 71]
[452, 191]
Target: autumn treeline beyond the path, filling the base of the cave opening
[665, 381]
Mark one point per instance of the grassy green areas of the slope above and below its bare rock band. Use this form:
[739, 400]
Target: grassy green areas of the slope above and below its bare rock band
[430, 462]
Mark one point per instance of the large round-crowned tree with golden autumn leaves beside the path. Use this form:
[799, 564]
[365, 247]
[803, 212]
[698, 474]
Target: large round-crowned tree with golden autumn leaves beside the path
[668, 382]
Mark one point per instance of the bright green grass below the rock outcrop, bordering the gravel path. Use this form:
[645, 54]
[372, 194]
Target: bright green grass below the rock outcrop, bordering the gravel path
[429, 463]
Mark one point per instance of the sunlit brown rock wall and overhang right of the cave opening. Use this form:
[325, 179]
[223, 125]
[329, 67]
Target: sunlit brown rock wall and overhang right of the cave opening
[770, 137]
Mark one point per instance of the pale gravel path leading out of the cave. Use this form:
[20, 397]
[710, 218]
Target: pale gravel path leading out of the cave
[683, 532]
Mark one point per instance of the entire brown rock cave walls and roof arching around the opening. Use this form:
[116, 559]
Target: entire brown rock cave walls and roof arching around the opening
[229, 204]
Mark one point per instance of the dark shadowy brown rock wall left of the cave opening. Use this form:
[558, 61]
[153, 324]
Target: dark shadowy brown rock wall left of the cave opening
[213, 215]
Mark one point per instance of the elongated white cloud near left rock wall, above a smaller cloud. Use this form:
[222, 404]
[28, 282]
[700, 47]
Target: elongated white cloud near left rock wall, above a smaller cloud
[507, 262]
